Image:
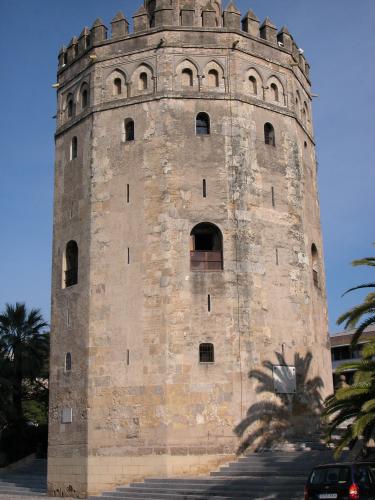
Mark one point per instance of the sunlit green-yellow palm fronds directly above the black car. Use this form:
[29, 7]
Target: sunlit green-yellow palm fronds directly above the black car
[352, 408]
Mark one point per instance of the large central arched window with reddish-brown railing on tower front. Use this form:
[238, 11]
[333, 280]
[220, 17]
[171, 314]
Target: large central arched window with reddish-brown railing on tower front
[206, 248]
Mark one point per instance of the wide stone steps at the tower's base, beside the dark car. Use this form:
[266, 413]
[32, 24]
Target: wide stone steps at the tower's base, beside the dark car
[276, 475]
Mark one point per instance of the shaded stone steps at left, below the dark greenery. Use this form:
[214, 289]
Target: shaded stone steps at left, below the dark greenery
[27, 480]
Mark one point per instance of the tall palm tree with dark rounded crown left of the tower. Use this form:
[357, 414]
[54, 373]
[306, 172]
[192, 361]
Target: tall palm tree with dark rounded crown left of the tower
[24, 347]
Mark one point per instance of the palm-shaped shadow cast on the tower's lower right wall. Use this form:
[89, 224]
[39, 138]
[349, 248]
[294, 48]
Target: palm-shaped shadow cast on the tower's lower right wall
[282, 418]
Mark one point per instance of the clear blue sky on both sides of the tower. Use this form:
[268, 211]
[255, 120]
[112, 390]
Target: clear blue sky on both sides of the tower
[338, 37]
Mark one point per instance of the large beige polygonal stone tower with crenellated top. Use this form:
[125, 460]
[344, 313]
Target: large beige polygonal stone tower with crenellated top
[187, 244]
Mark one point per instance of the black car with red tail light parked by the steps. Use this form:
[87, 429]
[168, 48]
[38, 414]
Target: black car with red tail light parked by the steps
[342, 481]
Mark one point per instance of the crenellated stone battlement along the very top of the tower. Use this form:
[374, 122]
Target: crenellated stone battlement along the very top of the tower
[162, 15]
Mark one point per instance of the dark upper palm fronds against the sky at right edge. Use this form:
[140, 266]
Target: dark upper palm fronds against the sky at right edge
[362, 316]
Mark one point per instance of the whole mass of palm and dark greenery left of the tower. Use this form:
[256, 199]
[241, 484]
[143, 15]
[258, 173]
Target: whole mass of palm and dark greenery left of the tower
[24, 355]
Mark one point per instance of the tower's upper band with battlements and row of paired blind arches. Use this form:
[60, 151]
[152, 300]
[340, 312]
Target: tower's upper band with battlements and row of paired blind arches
[214, 49]
